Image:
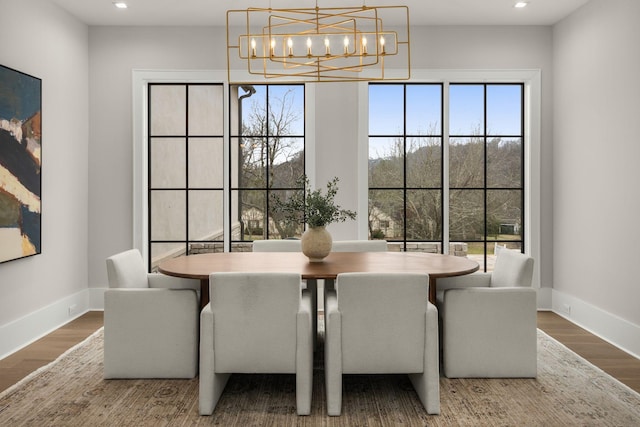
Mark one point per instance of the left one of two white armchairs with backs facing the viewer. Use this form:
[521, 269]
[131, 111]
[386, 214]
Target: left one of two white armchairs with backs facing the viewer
[255, 323]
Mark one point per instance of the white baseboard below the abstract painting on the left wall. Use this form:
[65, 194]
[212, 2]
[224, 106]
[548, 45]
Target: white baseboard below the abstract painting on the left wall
[24, 331]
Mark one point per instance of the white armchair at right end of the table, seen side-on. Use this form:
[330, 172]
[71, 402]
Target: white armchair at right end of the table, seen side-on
[489, 321]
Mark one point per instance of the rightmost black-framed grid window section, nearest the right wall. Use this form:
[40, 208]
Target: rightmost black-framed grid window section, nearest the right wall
[486, 167]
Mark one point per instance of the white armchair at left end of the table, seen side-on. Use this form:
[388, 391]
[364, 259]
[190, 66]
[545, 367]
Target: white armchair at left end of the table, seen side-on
[150, 322]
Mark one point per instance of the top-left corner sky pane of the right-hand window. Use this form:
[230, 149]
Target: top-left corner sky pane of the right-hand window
[386, 109]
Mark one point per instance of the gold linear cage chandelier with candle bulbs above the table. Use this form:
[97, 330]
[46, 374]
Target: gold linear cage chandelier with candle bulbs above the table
[318, 44]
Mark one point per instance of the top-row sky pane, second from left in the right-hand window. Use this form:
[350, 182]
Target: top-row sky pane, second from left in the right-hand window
[424, 109]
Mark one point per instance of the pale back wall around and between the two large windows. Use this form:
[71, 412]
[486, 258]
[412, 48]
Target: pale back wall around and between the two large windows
[115, 51]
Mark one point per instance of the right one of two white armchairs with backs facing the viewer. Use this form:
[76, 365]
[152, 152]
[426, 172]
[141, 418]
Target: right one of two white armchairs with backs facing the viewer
[382, 323]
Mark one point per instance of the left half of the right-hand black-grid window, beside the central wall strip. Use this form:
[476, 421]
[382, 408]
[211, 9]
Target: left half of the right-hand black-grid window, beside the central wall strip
[406, 165]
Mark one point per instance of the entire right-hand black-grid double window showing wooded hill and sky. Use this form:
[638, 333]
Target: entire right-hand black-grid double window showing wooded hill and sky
[485, 167]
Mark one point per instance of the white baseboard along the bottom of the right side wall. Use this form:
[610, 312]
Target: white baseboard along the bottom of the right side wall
[611, 328]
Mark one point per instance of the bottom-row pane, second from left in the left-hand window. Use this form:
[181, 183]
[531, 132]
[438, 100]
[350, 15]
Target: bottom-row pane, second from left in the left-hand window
[206, 215]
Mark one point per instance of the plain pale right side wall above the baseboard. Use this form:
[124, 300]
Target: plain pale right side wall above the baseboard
[595, 153]
